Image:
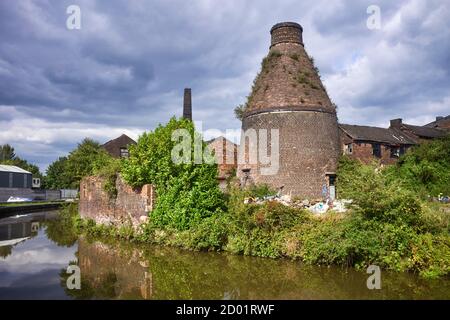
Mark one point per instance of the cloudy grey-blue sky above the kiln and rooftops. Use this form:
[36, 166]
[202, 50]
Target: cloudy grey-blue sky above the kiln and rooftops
[124, 71]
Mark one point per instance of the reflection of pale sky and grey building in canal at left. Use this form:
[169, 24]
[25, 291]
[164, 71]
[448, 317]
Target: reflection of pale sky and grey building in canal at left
[30, 262]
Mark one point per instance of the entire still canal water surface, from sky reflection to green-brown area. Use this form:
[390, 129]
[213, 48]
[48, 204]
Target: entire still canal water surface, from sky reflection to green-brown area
[35, 252]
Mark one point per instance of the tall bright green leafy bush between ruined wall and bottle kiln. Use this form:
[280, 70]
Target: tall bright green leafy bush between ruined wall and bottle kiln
[186, 192]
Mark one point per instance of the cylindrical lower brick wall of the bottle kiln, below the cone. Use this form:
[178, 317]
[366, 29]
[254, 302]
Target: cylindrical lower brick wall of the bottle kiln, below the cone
[308, 151]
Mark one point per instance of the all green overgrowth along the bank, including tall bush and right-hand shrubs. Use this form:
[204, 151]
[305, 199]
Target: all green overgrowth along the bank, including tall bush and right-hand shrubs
[391, 223]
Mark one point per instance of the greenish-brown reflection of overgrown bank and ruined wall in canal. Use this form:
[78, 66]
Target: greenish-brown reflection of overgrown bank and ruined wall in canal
[137, 272]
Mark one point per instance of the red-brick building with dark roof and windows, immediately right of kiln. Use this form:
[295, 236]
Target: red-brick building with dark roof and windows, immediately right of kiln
[373, 143]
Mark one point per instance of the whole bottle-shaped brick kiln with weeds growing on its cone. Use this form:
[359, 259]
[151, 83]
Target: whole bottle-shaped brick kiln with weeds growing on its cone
[288, 95]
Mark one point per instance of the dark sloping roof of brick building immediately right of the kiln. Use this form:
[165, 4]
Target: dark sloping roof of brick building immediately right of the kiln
[376, 134]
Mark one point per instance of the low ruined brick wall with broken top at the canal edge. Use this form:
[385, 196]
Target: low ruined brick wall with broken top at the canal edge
[130, 205]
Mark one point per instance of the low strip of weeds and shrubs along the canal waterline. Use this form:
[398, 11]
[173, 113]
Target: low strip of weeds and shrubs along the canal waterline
[274, 231]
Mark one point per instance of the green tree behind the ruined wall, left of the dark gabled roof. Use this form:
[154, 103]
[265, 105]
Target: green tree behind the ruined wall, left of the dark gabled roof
[85, 160]
